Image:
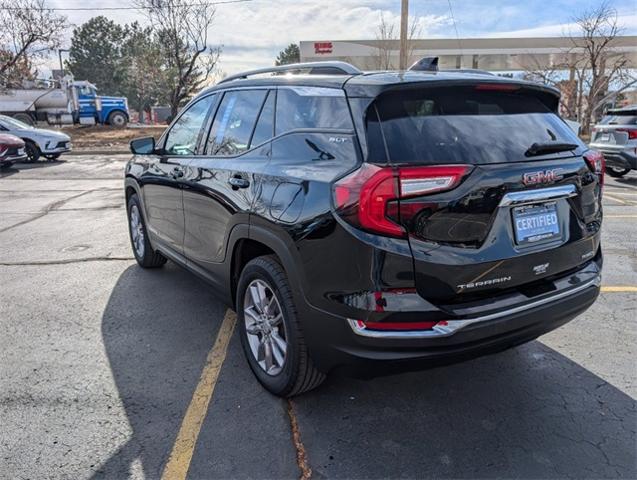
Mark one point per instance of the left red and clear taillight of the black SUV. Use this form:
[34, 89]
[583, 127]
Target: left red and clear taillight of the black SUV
[367, 197]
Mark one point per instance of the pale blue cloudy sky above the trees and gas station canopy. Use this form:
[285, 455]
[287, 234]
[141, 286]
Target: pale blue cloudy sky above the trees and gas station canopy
[252, 33]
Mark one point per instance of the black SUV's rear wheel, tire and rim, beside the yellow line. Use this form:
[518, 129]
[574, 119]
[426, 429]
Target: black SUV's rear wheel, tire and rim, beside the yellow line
[296, 373]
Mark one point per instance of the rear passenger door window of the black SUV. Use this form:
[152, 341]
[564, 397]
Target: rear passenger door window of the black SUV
[234, 122]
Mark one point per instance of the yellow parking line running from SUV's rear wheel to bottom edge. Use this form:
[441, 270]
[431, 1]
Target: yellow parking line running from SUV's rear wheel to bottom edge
[179, 461]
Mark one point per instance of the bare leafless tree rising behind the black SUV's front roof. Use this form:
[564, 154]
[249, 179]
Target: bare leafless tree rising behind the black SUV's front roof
[183, 28]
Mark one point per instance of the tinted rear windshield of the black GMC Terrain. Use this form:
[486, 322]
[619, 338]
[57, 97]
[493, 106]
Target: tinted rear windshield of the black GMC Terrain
[460, 125]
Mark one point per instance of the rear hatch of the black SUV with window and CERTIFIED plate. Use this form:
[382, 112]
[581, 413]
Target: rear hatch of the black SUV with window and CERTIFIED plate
[496, 191]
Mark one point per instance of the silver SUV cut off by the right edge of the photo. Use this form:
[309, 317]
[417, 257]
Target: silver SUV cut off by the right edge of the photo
[616, 137]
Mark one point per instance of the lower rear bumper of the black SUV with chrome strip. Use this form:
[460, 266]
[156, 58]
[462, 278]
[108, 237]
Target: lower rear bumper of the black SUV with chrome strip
[368, 356]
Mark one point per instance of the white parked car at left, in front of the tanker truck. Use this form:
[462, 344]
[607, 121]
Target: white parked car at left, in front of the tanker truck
[38, 141]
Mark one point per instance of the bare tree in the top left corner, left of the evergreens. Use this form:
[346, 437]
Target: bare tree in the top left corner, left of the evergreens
[29, 32]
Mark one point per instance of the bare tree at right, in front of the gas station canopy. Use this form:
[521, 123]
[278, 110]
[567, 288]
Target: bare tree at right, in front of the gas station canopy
[592, 62]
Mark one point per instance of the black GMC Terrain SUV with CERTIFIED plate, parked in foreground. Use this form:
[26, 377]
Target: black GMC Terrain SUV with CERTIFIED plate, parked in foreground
[373, 222]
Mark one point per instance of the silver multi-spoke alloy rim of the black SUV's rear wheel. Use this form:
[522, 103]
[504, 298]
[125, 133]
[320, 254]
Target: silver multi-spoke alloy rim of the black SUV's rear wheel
[265, 327]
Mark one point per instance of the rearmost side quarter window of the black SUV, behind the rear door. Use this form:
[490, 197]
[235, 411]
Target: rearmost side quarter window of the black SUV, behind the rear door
[311, 107]
